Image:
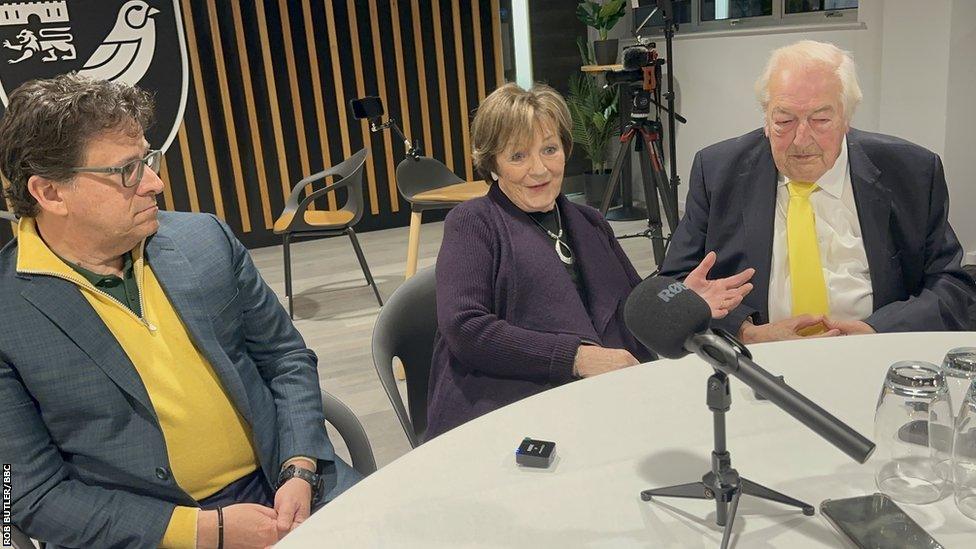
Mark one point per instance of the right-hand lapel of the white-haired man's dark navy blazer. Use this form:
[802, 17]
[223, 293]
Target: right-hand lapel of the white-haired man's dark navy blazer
[874, 213]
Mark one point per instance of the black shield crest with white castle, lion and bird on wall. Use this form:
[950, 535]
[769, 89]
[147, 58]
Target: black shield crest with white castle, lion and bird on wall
[138, 42]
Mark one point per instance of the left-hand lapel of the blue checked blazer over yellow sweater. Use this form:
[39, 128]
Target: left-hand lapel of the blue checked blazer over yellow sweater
[62, 302]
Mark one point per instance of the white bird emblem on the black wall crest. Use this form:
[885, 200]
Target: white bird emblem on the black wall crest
[126, 53]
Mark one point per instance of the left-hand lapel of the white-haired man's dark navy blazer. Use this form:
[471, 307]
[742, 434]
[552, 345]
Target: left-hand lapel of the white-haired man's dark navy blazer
[758, 181]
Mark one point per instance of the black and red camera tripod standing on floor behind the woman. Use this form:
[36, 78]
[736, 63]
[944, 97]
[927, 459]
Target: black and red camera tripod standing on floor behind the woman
[653, 178]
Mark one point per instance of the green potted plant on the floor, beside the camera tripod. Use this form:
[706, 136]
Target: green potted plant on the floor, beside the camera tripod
[594, 112]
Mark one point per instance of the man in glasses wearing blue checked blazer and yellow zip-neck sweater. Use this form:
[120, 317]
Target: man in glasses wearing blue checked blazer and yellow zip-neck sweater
[153, 392]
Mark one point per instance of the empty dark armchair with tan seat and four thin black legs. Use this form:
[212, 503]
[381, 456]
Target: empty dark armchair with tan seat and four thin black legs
[297, 221]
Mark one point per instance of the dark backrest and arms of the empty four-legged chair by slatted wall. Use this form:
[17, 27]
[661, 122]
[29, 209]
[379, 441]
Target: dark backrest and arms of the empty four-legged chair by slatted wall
[348, 174]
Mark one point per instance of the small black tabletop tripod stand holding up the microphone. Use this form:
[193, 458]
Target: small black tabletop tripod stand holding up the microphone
[723, 483]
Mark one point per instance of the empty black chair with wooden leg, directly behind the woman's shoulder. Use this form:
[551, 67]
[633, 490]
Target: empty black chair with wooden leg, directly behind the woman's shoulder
[427, 184]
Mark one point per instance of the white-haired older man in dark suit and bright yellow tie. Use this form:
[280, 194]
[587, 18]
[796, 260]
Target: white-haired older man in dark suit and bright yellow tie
[847, 230]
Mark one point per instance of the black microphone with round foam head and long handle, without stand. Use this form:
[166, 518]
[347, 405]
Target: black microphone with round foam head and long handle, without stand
[672, 320]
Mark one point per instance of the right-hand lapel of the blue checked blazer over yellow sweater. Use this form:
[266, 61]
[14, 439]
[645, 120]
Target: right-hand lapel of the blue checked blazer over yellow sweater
[179, 282]
